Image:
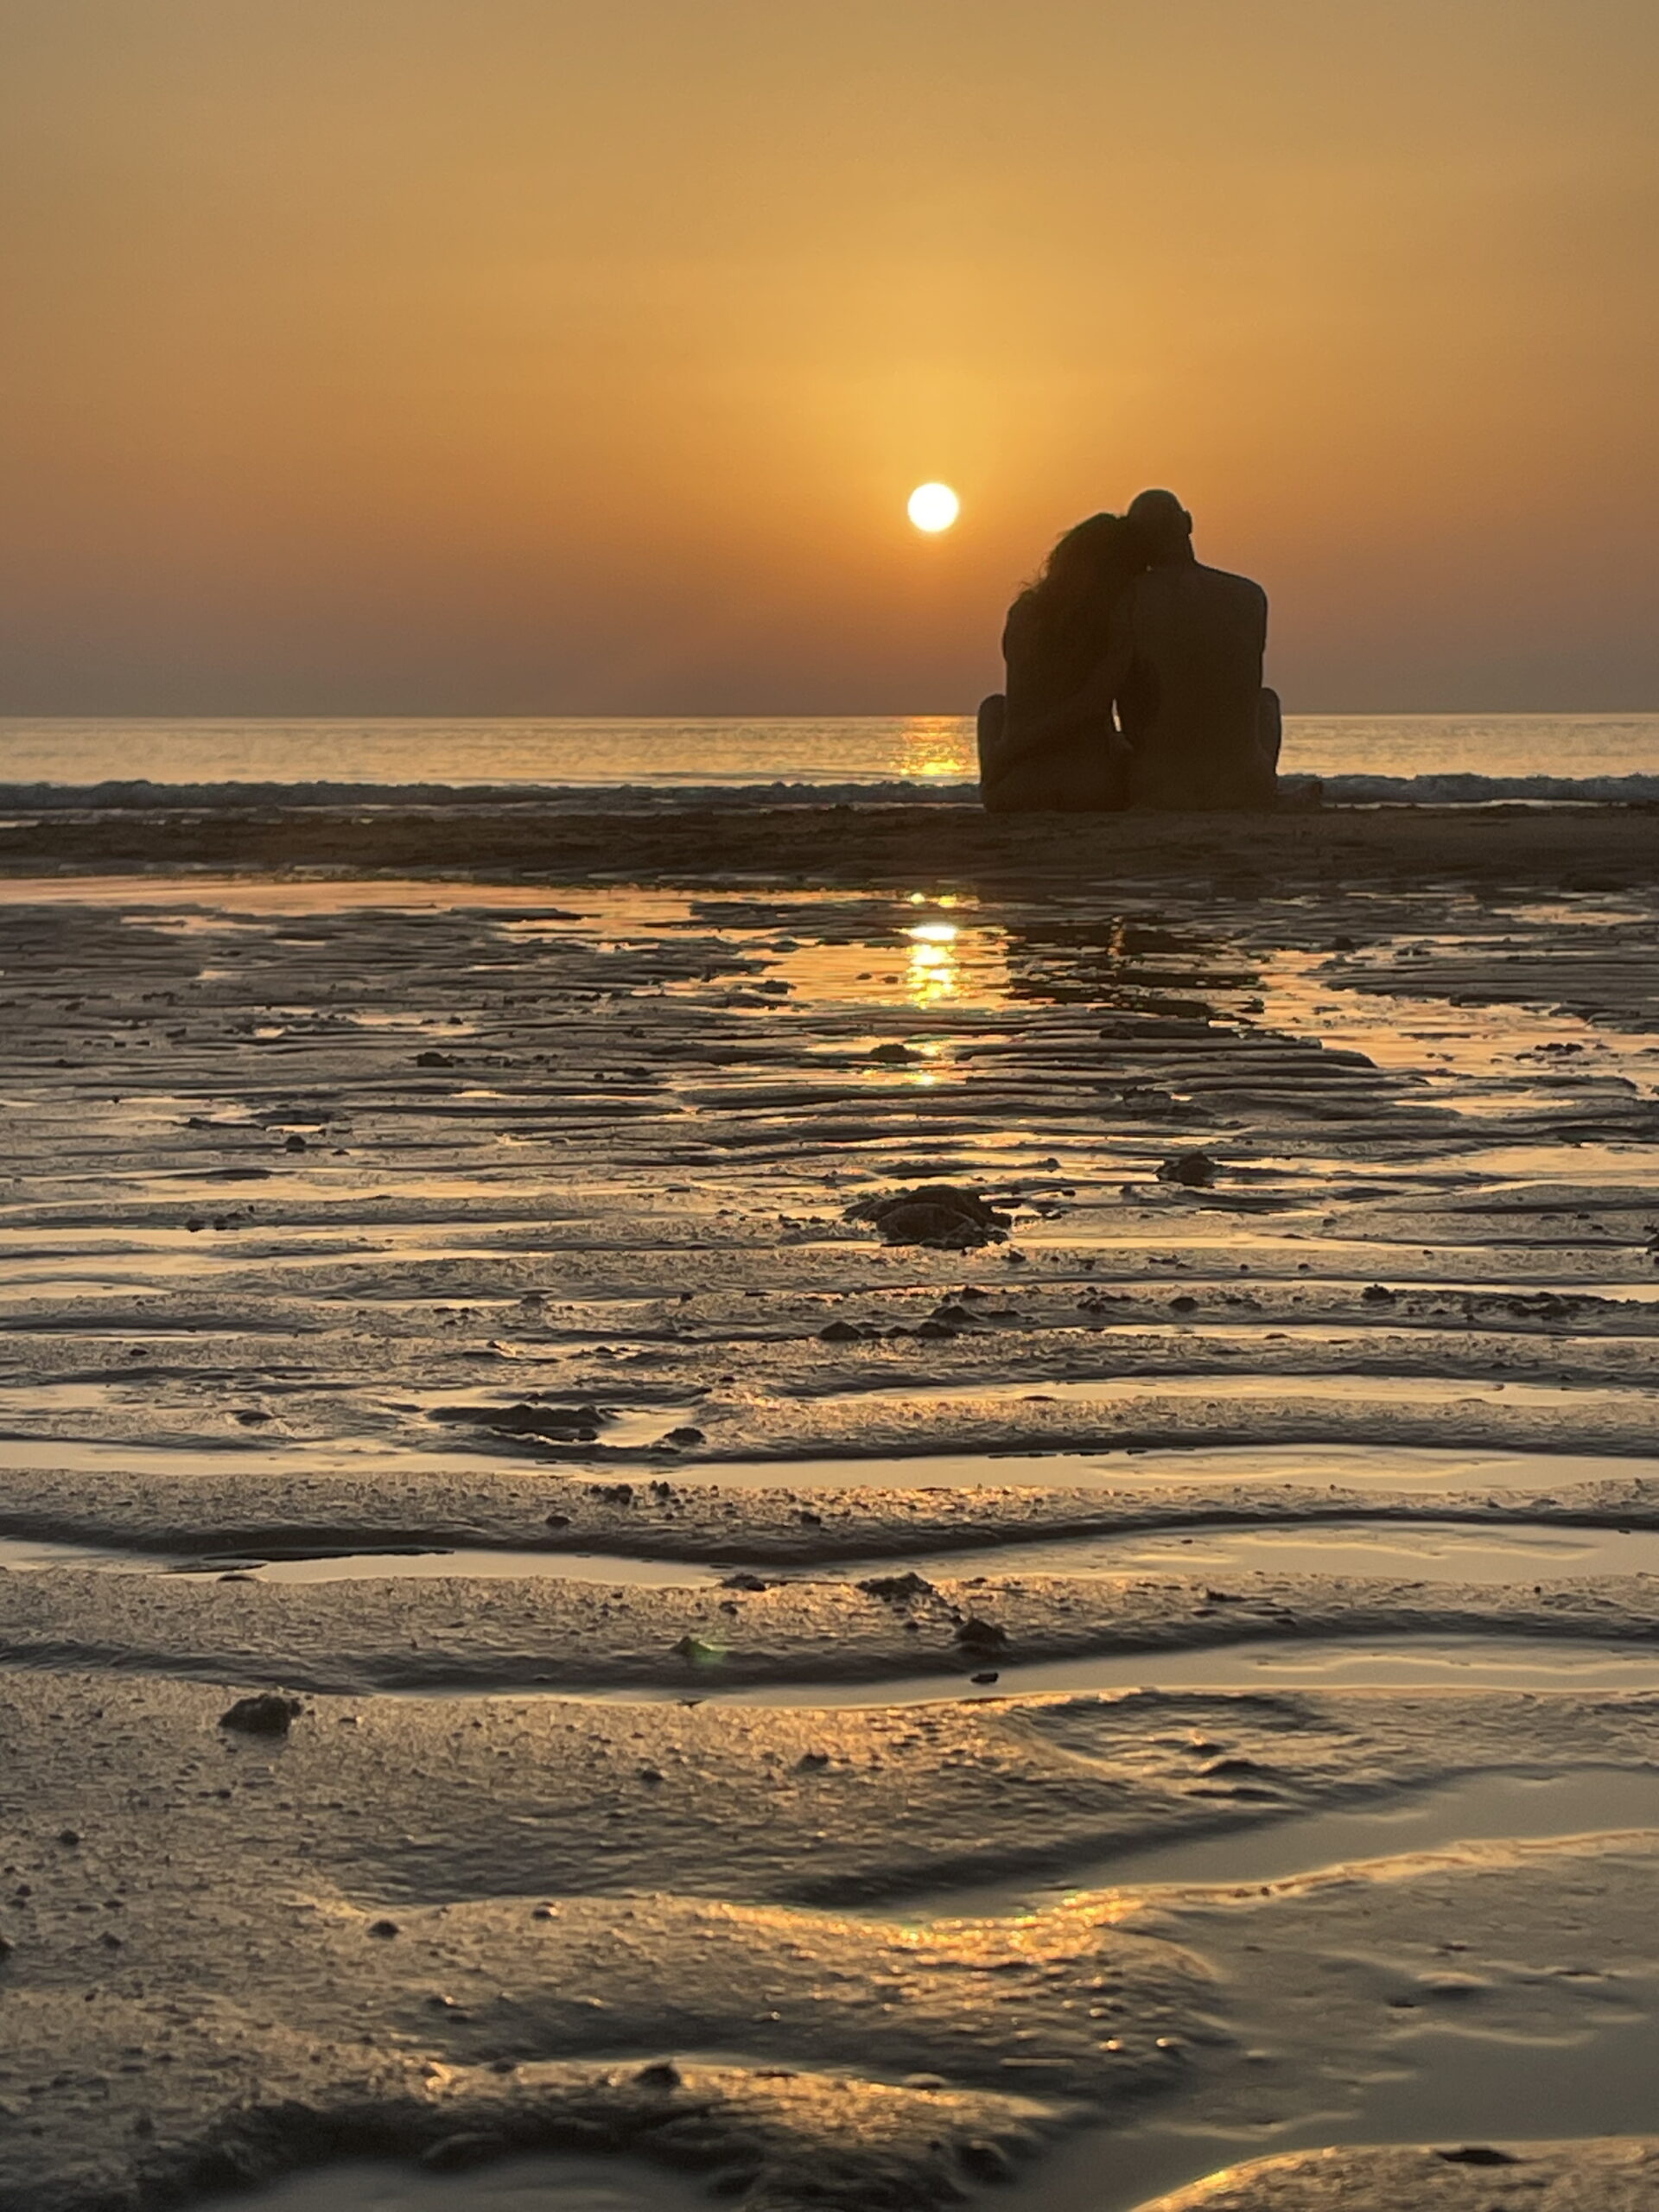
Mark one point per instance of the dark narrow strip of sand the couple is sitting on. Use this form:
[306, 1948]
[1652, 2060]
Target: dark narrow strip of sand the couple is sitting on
[1244, 857]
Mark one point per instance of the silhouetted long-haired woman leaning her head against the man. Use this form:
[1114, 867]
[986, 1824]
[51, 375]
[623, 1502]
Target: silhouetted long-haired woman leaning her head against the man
[1034, 755]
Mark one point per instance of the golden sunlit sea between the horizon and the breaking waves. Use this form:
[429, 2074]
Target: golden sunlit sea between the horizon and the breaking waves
[731, 751]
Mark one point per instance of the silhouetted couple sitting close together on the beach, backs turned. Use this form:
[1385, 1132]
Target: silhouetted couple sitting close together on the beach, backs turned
[1134, 678]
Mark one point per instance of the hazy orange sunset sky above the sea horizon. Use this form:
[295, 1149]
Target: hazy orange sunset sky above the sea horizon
[578, 355]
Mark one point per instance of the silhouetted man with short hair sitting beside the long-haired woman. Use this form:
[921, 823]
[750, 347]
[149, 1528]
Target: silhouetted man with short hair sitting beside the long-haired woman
[1185, 669]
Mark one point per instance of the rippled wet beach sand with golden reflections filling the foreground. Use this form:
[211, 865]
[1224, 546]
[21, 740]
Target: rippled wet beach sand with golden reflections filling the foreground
[784, 1711]
